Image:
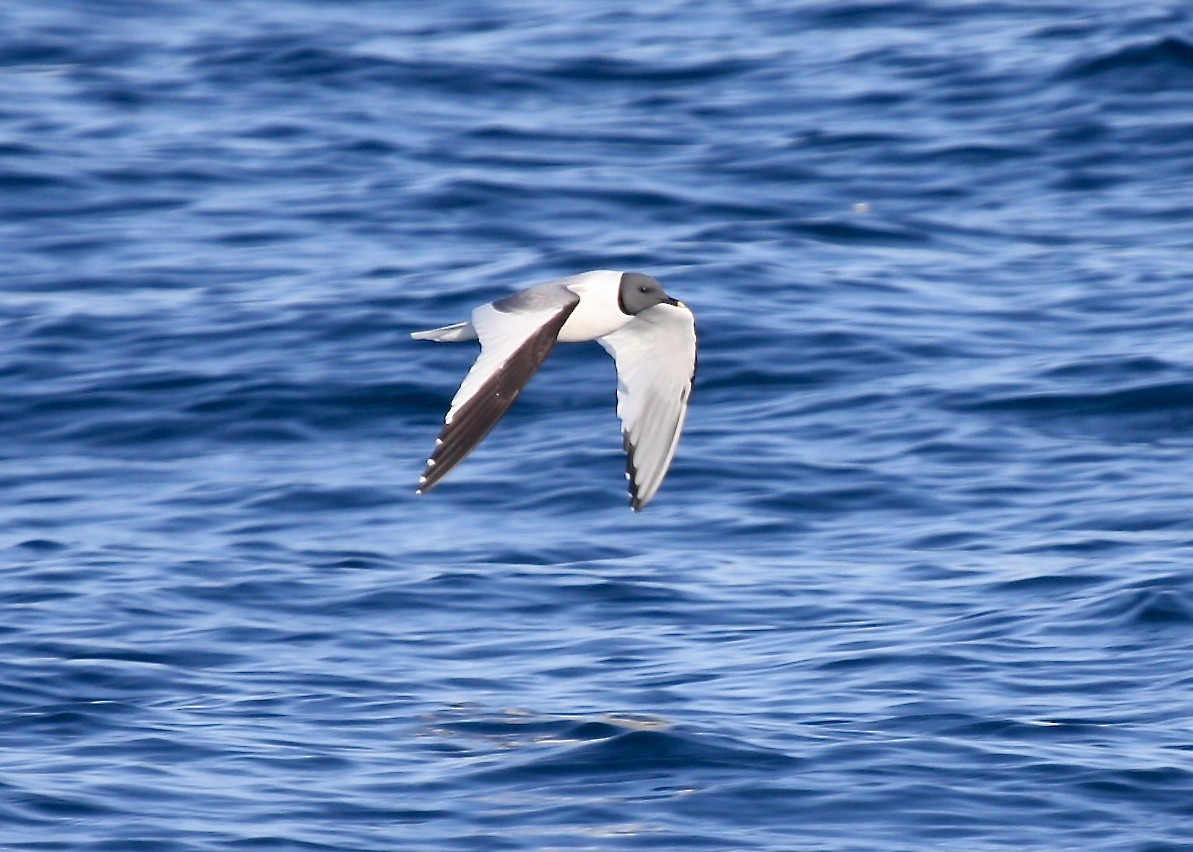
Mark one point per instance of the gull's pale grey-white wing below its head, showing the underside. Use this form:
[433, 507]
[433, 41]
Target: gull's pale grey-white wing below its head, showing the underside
[656, 356]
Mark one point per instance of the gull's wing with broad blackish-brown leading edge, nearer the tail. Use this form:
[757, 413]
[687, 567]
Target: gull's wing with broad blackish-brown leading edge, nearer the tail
[517, 334]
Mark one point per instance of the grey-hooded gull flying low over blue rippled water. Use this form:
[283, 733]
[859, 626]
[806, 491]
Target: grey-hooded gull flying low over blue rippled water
[651, 336]
